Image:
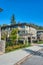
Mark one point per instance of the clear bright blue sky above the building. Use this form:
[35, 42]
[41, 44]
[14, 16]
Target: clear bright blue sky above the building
[30, 11]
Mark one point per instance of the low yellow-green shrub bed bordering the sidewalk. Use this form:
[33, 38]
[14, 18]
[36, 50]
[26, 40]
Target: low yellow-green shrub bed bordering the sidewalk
[16, 47]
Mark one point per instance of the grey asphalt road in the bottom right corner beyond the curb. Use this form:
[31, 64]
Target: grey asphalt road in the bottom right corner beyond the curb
[36, 59]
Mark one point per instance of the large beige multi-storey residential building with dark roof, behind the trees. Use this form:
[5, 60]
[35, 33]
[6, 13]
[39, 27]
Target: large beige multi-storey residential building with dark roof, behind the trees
[26, 32]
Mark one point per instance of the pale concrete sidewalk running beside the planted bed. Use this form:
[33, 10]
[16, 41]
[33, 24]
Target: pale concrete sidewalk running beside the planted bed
[15, 56]
